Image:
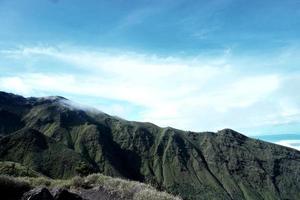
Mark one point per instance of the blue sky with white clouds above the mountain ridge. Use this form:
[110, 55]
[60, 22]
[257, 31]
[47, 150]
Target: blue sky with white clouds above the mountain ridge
[193, 65]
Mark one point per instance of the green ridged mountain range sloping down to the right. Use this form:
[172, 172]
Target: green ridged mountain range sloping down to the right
[53, 137]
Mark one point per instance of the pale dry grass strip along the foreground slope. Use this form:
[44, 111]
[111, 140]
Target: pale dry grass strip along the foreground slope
[124, 188]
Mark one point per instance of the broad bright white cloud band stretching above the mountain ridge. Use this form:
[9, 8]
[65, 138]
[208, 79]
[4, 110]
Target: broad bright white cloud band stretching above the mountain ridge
[190, 93]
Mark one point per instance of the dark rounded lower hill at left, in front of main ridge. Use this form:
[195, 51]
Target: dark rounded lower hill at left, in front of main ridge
[42, 154]
